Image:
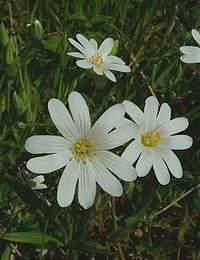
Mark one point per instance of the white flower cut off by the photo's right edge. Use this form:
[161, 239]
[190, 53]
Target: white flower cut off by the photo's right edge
[191, 53]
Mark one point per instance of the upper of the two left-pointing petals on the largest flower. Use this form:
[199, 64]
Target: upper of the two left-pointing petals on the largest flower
[46, 144]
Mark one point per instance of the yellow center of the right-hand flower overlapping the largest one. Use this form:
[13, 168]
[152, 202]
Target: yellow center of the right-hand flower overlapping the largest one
[151, 138]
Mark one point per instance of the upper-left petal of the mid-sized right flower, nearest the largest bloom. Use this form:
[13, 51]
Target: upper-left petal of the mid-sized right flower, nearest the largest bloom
[134, 112]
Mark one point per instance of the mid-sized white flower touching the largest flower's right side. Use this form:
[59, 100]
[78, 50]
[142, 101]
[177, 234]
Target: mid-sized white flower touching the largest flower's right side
[155, 140]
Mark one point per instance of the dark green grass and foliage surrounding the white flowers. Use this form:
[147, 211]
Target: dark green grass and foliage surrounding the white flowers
[34, 67]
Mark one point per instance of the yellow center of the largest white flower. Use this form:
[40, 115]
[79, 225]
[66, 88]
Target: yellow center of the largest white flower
[83, 149]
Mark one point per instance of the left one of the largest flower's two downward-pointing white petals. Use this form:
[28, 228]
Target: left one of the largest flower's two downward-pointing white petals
[67, 184]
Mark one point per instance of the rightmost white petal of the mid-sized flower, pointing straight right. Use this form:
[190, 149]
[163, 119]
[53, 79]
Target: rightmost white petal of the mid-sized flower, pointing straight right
[179, 142]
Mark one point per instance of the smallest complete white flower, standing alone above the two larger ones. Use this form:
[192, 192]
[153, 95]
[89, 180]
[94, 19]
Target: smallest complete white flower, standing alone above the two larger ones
[97, 58]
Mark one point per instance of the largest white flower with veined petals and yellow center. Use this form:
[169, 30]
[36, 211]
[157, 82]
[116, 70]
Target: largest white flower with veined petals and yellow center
[83, 149]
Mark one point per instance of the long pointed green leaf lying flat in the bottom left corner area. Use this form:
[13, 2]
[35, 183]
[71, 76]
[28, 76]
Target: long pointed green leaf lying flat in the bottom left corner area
[29, 237]
